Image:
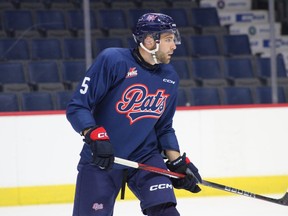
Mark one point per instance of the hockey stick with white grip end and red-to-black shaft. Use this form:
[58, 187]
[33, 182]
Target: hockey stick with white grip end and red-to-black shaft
[128, 163]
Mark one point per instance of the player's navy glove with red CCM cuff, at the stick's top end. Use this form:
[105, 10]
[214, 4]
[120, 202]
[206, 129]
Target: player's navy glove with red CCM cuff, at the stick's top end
[102, 149]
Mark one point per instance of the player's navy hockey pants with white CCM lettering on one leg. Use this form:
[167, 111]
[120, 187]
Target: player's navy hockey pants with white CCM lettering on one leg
[96, 189]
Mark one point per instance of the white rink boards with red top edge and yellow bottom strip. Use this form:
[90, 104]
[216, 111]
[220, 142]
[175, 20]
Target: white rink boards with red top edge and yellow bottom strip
[242, 146]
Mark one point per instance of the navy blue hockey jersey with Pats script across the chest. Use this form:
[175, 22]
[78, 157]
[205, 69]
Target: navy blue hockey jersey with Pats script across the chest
[135, 105]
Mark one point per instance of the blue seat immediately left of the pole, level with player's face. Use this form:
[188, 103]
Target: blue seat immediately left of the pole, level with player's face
[74, 48]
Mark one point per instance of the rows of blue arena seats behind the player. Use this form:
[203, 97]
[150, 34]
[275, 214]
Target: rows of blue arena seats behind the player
[42, 52]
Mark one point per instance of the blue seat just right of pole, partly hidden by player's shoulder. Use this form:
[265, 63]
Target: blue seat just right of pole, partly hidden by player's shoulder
[102, 43]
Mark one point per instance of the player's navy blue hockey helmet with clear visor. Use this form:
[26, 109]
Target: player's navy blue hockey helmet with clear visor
[155, 24]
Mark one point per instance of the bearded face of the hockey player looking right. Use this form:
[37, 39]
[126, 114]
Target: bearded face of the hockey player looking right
[166, 48]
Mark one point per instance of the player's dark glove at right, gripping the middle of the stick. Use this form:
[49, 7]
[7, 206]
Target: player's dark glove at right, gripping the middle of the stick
[183, 165]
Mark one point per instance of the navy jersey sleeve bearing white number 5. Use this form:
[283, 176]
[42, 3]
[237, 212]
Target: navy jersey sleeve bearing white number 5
[97, 81]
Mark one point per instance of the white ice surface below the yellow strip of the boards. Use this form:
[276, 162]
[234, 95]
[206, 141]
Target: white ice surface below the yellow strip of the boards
[206, 206]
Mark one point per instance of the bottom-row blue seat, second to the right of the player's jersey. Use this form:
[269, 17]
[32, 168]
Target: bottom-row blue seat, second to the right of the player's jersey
[205, 96]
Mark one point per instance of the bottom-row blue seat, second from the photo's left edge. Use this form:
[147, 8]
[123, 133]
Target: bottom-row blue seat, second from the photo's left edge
[37, 101]
